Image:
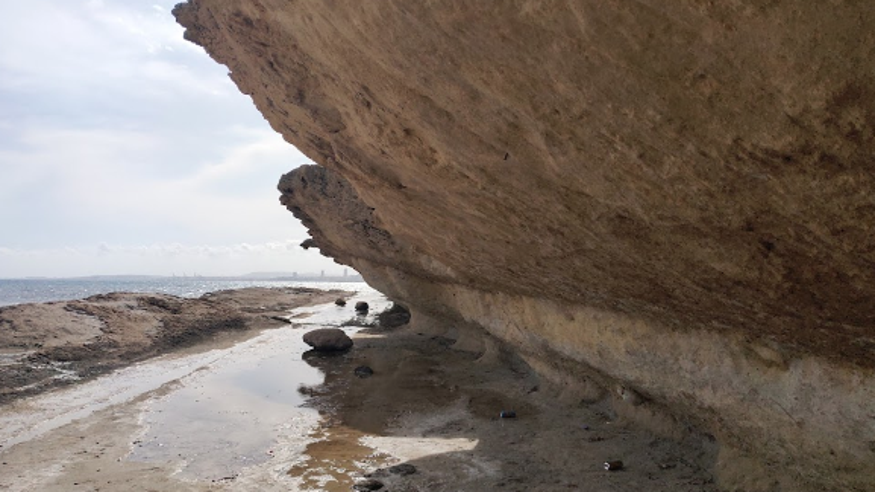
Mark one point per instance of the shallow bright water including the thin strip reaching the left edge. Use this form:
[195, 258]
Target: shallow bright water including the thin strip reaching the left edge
[210, 414]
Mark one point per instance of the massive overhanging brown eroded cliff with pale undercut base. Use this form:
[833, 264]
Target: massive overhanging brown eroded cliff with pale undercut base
[671, 200]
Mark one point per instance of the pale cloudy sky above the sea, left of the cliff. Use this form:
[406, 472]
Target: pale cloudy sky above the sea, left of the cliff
[125, 149]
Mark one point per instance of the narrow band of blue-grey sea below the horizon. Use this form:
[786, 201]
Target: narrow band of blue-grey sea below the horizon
[23, 291]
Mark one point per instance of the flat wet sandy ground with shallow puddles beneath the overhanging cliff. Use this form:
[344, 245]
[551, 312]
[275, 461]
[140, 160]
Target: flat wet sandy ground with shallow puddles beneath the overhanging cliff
[433, 402]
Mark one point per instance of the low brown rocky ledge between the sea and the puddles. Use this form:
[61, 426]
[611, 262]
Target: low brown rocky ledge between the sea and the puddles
[55, 344]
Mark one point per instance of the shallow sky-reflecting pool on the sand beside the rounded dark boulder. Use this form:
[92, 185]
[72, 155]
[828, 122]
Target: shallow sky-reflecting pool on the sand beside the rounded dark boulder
[229, 415]
